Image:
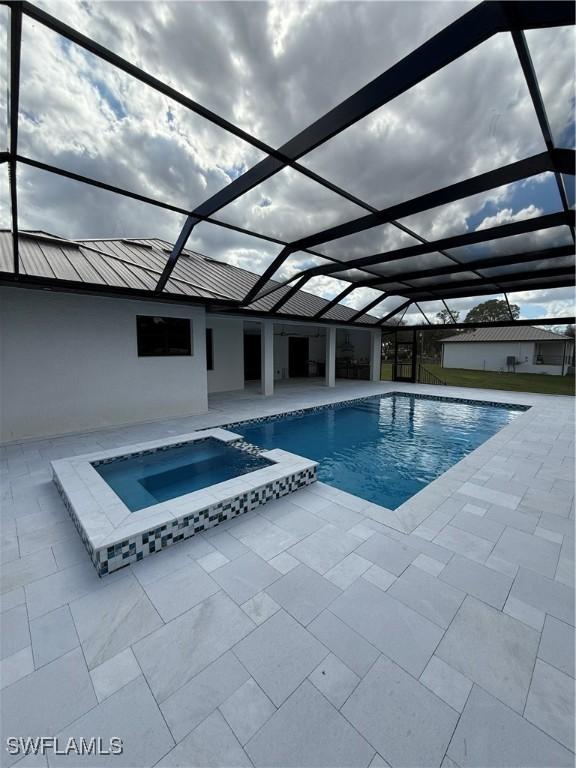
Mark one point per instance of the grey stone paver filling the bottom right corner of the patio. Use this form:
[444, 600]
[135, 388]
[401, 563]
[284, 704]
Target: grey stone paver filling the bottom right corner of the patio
[491, 734]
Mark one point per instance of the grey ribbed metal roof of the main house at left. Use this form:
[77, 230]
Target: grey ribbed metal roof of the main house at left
[136, 264]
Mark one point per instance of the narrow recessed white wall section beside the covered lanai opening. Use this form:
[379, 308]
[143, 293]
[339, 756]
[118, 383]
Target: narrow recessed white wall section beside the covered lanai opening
[228, 344]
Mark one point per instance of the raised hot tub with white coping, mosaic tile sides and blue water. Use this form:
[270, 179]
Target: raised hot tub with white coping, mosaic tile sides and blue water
[129, 503]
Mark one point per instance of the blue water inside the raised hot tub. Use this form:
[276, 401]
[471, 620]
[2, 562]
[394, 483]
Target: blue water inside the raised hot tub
[147, 479]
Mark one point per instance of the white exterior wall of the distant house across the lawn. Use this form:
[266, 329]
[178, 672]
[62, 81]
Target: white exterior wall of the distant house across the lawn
[491, 356]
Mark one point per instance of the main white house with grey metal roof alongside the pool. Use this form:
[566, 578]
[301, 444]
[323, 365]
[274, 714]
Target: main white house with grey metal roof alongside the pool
[115, 354]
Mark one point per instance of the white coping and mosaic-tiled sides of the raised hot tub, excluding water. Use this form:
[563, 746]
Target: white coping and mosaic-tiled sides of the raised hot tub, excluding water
[115, 536]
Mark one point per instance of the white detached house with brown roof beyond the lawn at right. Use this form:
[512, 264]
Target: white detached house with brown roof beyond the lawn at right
[523, 349]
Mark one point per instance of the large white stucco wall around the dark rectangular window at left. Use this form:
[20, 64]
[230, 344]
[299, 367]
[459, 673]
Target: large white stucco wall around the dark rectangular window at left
[70, 363]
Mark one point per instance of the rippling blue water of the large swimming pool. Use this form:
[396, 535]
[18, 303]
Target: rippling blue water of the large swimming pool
[384, 449]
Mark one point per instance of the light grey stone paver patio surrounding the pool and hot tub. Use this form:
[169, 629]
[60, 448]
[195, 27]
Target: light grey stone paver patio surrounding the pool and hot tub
[309, 632]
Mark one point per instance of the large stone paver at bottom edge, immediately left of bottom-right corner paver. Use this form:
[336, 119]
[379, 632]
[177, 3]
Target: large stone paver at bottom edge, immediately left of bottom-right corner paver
[406, 723]
